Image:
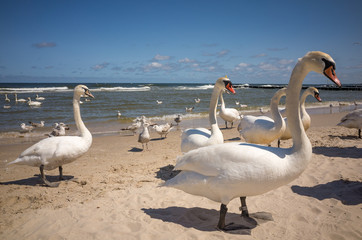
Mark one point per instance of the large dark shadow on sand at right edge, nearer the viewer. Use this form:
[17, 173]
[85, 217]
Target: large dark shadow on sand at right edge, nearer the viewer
[348, 192]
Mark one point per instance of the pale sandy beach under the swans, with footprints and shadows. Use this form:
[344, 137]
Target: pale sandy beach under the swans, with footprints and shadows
[113, 192]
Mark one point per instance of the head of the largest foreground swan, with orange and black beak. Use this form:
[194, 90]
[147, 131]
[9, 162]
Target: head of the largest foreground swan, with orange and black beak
[322, 63]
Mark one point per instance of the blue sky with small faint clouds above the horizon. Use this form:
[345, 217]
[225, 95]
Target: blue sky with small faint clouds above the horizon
[173, 41]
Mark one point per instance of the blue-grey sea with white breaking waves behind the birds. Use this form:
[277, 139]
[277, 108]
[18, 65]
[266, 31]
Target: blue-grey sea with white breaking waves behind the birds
[136, 99]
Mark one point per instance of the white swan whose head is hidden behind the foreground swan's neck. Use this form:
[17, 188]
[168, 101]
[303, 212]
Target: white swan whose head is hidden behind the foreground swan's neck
[262, 129]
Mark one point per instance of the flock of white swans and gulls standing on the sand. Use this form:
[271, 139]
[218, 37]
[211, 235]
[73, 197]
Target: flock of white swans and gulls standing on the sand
[209, 167]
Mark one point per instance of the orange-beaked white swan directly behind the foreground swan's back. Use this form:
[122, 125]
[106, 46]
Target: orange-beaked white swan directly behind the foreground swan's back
[199, 137]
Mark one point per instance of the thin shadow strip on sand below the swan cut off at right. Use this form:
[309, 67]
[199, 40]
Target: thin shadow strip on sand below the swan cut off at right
[345, 152]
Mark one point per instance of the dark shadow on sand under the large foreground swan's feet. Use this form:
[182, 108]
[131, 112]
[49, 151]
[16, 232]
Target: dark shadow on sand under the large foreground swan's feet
[204, 219]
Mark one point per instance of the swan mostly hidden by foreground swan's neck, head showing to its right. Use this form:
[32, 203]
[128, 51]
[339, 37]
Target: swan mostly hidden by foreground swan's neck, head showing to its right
[311, 91]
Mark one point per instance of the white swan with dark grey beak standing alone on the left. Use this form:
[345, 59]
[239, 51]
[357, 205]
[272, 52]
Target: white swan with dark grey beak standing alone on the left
[54, 152]
